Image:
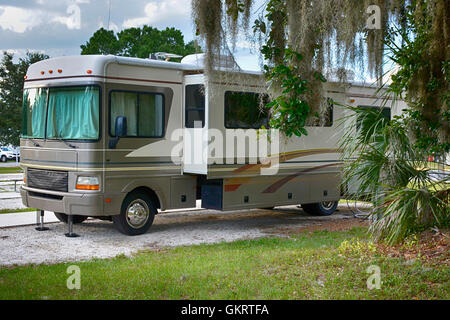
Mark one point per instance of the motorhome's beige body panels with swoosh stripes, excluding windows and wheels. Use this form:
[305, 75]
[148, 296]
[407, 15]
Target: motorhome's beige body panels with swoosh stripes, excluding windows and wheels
[309, 169]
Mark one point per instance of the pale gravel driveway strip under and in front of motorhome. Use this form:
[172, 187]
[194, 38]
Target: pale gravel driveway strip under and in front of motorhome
[99, 239]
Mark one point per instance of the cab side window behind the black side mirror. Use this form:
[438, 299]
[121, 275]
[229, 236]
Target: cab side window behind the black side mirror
[144, 112]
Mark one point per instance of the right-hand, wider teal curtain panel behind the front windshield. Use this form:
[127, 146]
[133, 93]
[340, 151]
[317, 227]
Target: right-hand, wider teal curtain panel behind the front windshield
[73, 113]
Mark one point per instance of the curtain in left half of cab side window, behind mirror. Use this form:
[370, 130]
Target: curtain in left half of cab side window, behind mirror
[124, 104]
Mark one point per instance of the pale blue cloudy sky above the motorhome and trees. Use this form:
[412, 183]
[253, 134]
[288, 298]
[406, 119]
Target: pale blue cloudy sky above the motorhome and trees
[59, 27]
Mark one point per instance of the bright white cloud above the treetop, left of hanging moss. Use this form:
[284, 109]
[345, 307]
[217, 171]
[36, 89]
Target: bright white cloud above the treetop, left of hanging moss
[161, 12]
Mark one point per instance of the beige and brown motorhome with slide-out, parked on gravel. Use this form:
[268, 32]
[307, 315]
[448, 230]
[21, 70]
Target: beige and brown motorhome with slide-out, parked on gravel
[113, 138]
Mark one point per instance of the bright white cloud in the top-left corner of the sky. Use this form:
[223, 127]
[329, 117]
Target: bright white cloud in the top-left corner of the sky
[18, 19]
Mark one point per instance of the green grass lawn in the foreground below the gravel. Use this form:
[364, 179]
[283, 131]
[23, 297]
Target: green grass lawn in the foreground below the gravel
[305, 266]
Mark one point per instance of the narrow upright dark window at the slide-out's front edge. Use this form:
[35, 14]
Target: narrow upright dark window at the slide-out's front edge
[195, 105]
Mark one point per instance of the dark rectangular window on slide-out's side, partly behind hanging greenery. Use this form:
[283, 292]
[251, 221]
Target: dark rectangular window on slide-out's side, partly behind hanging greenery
[242, 110]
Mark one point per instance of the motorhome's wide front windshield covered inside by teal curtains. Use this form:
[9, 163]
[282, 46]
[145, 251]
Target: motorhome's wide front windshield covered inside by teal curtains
[69, 113]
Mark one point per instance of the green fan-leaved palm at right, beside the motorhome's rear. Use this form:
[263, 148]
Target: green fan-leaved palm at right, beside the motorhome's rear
[393, 174]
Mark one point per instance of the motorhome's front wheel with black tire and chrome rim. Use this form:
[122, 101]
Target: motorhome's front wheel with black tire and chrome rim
[136, 214]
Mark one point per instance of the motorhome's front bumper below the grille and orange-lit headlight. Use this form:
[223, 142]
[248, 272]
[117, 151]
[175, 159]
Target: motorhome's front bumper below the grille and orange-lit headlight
[68, 203]
